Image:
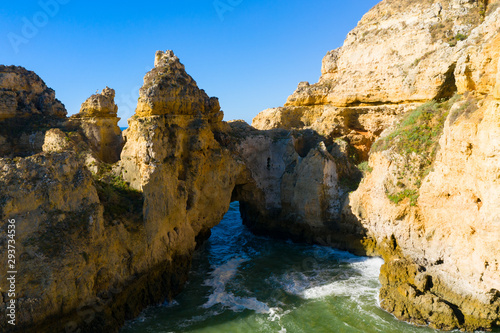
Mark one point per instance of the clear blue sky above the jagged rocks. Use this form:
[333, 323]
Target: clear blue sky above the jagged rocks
[250, 54]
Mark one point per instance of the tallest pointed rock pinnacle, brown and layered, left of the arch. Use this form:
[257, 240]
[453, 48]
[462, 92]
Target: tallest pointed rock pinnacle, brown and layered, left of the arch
[172, 155]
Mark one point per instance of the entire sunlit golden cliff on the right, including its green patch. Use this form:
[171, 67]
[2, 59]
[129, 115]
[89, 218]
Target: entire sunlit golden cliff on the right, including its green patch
[434, 220]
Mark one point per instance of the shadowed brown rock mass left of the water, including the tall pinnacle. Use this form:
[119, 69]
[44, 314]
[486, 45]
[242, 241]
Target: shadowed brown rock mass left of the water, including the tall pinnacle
[95, 250]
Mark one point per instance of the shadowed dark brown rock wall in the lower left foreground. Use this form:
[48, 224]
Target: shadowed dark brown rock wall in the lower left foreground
[56, 208]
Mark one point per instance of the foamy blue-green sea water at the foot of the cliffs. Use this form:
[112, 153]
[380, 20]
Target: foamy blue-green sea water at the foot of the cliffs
[243, 283]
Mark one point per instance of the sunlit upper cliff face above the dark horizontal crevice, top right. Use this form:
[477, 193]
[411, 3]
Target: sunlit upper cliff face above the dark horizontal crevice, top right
[400, 52]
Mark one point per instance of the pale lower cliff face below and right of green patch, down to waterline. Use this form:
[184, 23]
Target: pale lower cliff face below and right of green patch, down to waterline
[451, 233]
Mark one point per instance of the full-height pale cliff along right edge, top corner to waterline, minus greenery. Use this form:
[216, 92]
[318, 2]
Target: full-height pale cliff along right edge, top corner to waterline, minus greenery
[441, 259]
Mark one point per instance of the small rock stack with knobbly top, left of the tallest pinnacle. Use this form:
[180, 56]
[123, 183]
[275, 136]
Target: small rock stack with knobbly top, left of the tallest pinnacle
[98, 122]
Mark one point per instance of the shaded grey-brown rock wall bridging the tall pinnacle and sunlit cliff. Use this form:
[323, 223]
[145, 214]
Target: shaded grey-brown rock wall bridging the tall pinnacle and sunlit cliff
[290, 187]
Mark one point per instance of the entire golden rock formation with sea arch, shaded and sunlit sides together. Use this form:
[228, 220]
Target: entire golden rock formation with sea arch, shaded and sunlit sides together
[100, 241]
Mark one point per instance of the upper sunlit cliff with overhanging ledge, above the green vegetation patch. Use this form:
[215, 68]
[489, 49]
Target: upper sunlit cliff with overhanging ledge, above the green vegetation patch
[391, 62]
